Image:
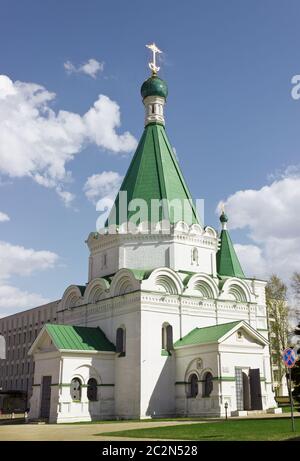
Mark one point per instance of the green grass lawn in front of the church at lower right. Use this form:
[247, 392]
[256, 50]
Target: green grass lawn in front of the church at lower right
[254, 429]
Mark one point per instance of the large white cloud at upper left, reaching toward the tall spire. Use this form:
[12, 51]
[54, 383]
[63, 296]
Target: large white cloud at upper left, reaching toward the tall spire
[37, 142]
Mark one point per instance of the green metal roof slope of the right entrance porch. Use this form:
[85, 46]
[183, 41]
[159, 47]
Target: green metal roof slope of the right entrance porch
[206, 335]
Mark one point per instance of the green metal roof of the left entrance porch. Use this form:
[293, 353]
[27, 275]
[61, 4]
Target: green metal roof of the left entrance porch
[79, 338]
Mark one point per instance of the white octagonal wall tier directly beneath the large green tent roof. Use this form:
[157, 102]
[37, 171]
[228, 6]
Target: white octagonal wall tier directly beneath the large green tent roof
[139, 250]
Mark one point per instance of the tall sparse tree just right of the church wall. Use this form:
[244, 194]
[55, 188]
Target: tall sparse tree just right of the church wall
[276, 301]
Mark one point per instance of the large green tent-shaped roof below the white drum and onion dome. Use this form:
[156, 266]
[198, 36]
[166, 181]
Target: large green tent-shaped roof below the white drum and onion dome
[154, 173]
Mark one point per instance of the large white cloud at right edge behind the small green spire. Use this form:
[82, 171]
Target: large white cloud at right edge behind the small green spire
[271, 216]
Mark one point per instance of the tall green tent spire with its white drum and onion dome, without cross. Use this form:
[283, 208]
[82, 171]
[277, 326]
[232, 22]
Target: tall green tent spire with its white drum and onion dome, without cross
[154, 172]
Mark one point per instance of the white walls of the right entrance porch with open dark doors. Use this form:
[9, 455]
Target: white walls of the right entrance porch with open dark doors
[222, 361]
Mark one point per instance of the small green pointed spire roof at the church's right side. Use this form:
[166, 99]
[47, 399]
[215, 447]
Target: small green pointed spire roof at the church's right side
[227, 260]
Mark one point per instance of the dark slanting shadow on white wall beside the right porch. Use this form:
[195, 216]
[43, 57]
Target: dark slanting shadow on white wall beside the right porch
[162, 400]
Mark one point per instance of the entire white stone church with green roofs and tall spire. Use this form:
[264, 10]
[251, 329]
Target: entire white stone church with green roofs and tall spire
[168, 324]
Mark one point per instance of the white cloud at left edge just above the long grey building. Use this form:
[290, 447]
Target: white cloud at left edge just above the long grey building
[20, 261]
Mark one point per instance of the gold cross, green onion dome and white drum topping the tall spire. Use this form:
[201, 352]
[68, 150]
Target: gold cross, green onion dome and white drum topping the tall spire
[154, 92]
